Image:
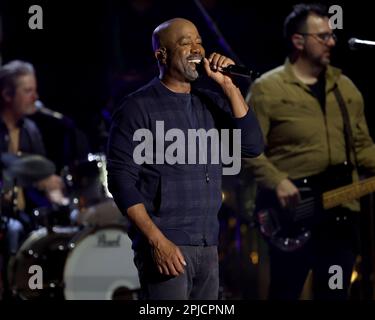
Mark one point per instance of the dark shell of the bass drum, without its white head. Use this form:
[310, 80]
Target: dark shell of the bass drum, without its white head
[44, 249]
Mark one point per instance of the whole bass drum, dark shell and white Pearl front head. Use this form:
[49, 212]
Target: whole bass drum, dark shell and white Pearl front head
[94, 263]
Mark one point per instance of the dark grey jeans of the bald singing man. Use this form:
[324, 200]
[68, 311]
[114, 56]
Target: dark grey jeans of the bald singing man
[199, 282]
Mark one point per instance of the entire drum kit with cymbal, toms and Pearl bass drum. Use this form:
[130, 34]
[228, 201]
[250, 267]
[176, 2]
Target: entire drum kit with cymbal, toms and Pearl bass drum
[82, 248]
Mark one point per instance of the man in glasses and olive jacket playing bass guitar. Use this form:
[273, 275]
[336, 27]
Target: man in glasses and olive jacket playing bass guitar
[298, 107]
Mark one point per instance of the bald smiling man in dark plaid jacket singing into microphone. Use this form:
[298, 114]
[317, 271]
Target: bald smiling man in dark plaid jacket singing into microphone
[174, 207]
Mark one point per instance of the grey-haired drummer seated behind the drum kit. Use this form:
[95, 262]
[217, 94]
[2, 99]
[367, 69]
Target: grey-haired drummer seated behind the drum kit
[20, 135]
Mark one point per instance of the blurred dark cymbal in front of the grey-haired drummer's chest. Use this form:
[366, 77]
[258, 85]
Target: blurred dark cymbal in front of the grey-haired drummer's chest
[27, 168]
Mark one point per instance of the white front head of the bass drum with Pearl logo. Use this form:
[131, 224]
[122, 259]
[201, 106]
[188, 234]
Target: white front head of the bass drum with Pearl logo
[100, 266]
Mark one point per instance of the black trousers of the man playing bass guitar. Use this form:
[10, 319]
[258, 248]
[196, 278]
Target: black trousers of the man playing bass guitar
[333, 242]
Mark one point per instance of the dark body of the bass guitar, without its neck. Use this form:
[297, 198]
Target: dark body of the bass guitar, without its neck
[290, 229]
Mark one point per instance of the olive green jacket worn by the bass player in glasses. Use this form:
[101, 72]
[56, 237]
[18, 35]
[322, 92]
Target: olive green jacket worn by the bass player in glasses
[300, 139]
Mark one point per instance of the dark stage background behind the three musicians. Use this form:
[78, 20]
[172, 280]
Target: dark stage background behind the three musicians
[90, 54]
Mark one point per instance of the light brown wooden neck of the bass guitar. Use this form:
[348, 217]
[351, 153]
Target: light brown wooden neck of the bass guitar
[350, 192]
